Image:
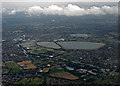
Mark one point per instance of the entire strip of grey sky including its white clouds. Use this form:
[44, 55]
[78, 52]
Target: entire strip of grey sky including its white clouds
[60, 8]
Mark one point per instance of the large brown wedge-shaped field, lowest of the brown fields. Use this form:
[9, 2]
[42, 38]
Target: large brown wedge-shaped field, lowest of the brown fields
[64, 75]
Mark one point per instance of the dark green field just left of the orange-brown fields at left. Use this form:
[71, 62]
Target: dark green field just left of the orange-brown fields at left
[13, 67]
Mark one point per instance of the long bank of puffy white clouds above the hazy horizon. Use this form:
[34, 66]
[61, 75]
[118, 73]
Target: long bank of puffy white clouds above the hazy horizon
[69, 10]
